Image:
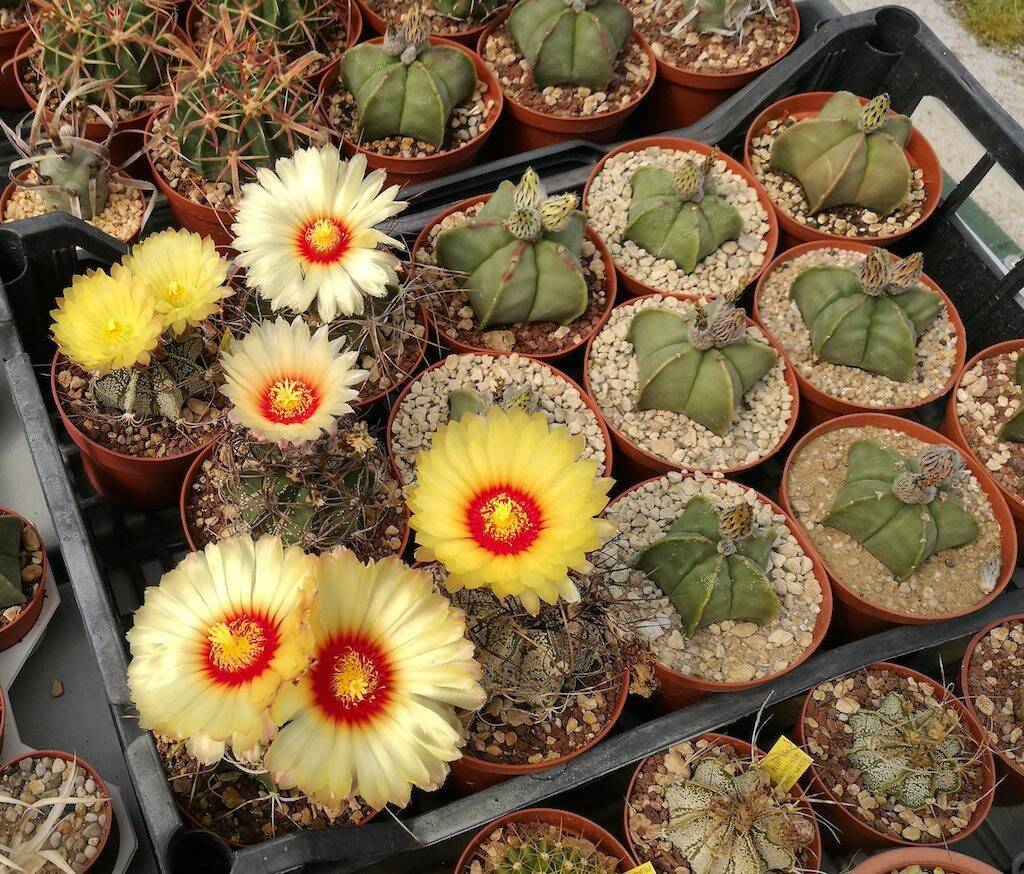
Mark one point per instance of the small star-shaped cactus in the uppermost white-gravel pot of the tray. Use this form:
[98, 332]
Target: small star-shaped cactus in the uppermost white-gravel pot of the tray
[677, 215]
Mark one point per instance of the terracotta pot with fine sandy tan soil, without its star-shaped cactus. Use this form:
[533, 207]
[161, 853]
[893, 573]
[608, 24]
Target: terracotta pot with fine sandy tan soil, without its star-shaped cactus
[860, 614]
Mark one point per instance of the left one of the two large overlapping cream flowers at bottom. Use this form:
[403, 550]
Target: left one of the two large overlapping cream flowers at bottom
[216, 640]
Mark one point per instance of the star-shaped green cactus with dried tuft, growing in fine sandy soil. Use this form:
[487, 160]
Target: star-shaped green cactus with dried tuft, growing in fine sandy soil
[903, 510]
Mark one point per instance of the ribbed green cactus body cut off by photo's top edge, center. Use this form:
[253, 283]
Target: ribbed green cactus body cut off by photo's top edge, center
[571, 42]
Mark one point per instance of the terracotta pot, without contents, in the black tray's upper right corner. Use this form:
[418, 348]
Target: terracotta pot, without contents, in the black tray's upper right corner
[919, 153]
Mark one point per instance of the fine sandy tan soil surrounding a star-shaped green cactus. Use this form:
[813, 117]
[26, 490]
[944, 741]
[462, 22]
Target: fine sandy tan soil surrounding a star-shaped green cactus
[949, 582]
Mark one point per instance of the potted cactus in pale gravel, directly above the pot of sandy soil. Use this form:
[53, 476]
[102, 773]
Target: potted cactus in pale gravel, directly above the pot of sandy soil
[815, 301]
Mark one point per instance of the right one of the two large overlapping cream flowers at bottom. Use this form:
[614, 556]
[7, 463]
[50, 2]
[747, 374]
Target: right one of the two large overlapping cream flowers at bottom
[375, 715]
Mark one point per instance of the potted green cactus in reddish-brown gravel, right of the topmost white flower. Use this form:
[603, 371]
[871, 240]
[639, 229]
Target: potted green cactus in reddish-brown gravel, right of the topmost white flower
[515, 272]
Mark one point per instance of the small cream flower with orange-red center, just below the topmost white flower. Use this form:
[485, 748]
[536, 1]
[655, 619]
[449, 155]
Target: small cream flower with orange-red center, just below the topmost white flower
[288, 386]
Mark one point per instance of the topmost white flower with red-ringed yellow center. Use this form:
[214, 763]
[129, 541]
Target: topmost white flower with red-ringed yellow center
[309, 231]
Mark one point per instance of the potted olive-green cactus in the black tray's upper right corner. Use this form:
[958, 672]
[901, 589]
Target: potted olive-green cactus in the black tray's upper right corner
[837, 166]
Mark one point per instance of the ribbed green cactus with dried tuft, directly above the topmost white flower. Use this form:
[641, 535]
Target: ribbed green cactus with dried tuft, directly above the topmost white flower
[405, 86]
